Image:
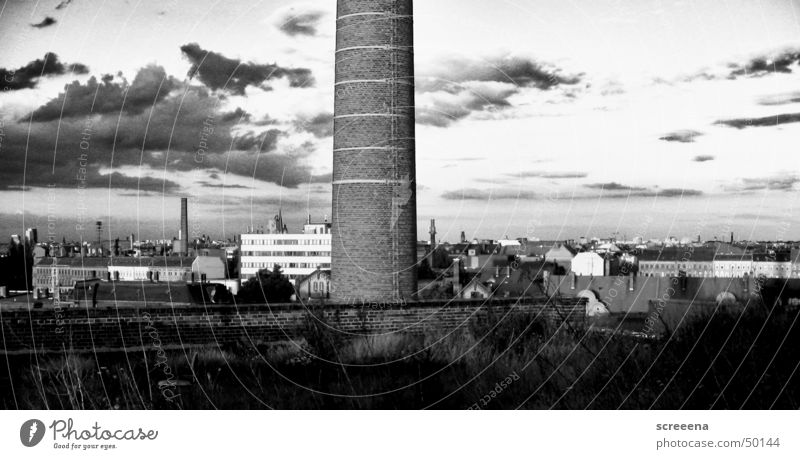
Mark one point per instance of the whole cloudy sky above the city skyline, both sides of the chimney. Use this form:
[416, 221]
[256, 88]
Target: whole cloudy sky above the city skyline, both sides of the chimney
[537, 118]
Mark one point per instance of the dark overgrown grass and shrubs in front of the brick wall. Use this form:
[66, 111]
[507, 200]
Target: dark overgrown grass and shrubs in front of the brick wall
[725, 362]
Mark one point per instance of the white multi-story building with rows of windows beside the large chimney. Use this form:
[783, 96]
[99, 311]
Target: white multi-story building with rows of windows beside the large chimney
[298, 255]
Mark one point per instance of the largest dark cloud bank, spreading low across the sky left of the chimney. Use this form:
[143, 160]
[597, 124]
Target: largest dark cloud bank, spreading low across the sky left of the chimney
[180, 130]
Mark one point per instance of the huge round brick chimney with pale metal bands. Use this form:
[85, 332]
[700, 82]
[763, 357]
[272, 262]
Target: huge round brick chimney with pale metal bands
[374, 191]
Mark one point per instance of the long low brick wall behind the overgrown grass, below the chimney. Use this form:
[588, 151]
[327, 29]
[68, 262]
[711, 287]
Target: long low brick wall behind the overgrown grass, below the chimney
[128, 326]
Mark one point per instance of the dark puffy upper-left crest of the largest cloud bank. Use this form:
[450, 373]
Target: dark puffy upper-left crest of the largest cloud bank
[150, 86]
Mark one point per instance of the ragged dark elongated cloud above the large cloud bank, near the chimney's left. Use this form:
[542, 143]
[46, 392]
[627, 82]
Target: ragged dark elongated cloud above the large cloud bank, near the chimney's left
[219, 72]
